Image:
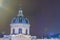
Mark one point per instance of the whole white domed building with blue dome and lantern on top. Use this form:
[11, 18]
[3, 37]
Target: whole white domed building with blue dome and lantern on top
[20, 29]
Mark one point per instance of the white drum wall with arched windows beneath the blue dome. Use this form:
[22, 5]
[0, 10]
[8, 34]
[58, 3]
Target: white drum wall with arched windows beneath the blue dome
[22, 26]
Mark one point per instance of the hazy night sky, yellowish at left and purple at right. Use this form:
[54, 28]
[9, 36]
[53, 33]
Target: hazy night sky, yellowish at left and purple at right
[44, 15]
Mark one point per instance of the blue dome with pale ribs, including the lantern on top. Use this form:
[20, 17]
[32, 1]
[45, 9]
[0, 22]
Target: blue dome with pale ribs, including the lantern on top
[20, 18]
